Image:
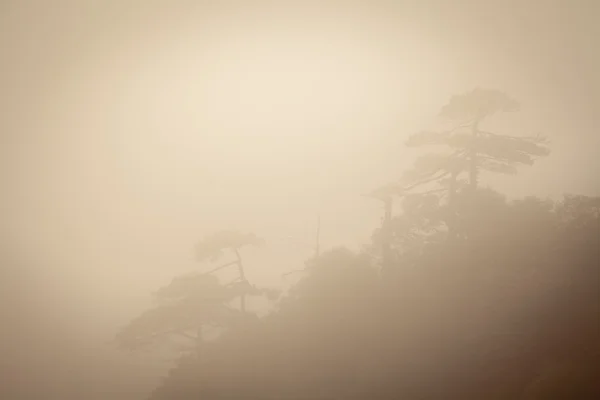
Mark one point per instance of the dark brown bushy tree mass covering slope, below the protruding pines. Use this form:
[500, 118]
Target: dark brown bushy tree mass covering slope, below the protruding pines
[512, 311]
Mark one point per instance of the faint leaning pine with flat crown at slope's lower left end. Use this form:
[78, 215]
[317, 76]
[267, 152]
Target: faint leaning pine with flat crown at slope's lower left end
[194, 303]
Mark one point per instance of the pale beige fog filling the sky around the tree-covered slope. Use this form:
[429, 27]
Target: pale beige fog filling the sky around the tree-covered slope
[131, 130]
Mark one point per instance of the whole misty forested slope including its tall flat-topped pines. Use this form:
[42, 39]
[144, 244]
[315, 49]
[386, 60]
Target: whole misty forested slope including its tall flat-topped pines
[462, 293]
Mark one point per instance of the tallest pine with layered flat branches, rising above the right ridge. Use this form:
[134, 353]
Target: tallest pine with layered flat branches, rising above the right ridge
[472, 148]
